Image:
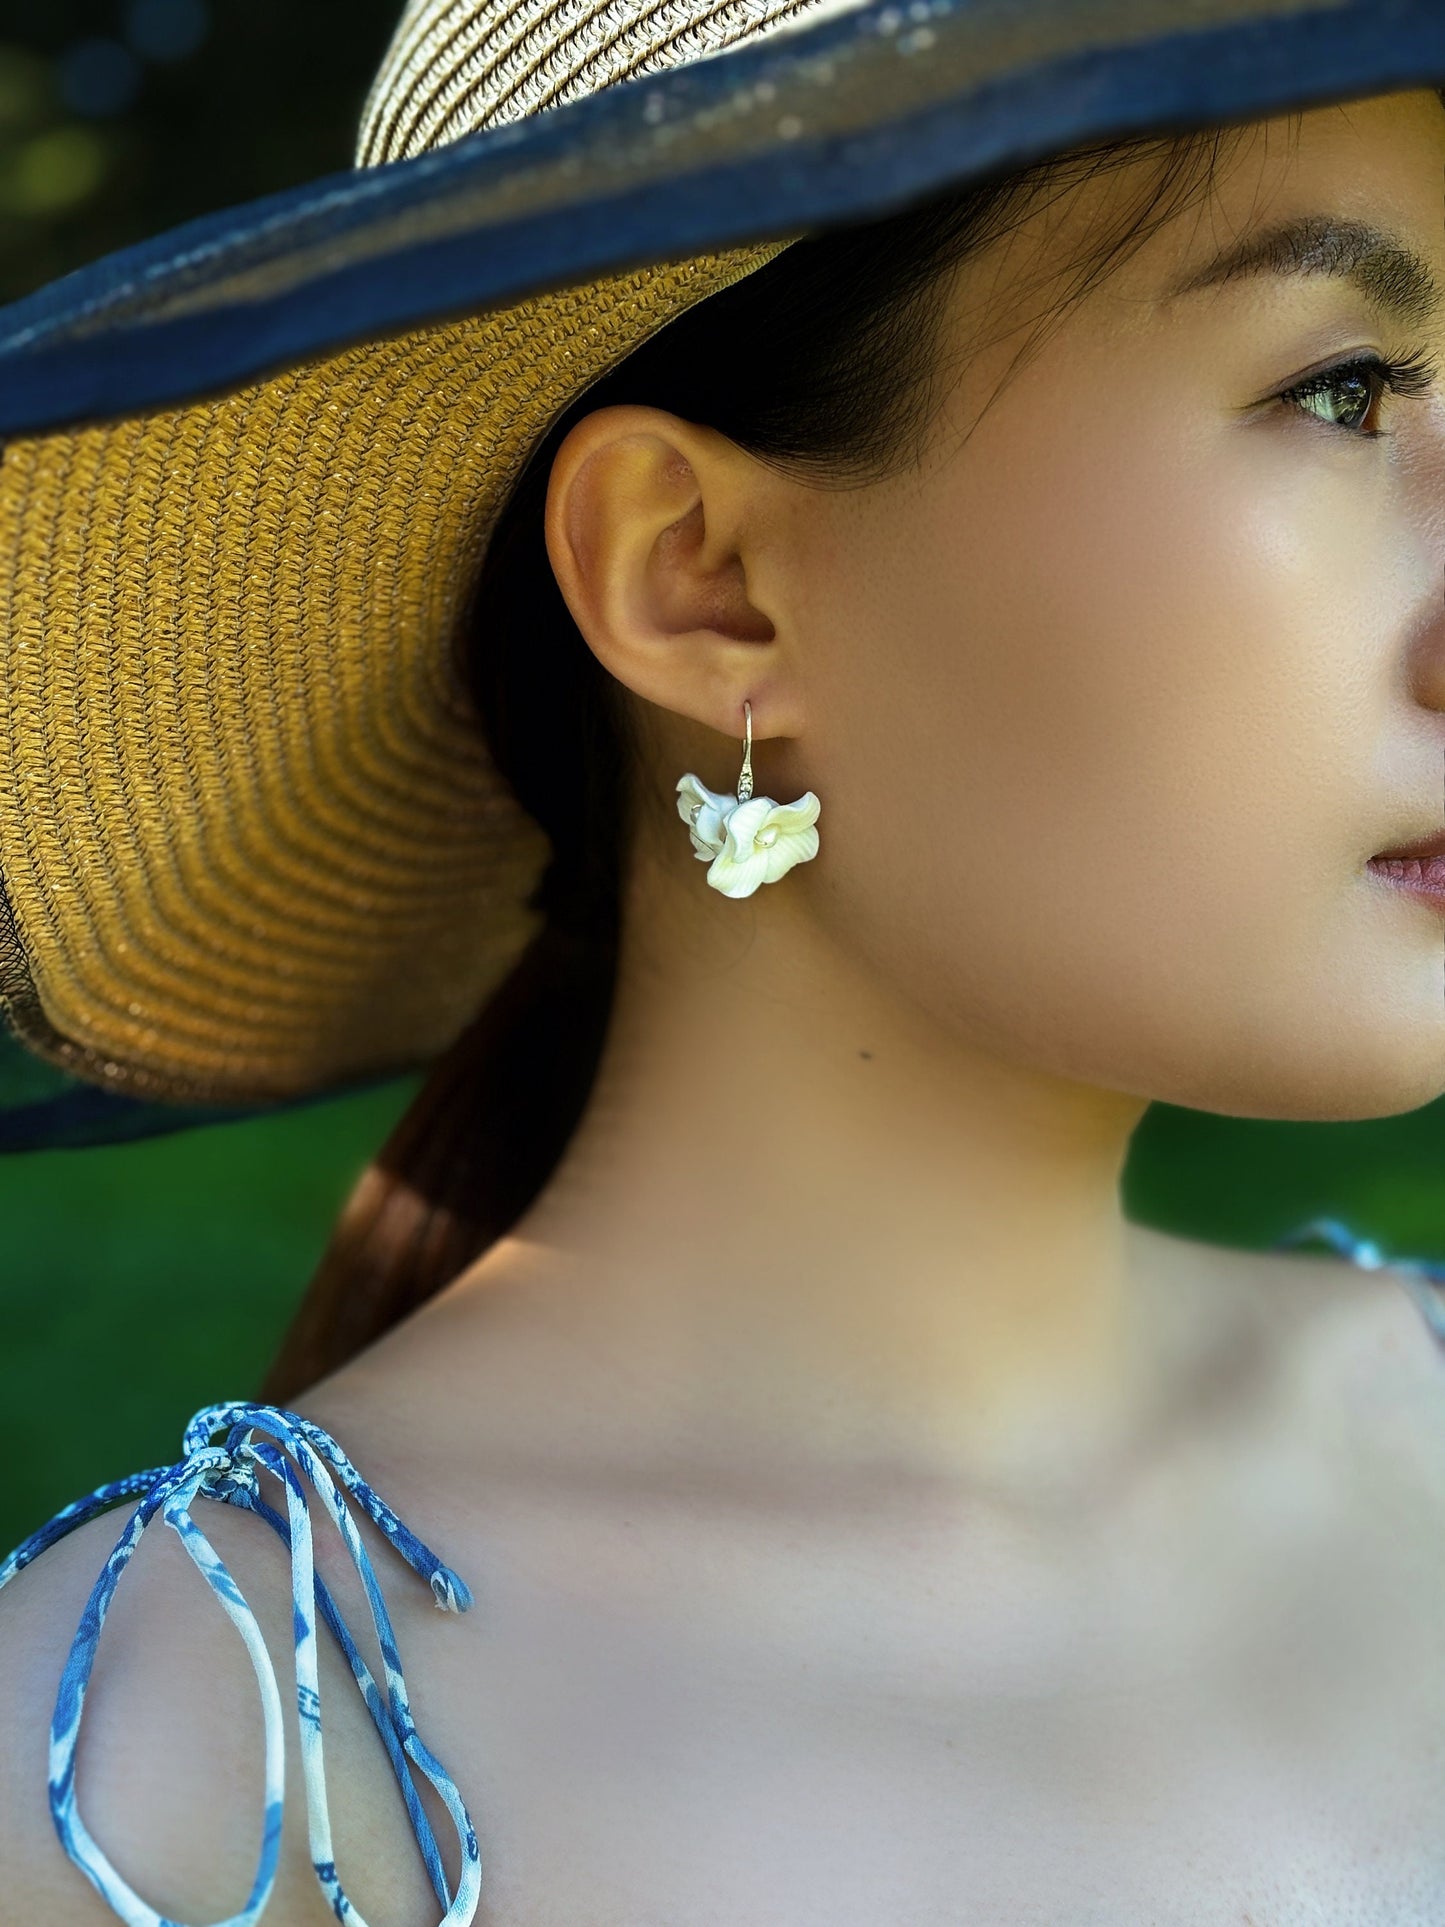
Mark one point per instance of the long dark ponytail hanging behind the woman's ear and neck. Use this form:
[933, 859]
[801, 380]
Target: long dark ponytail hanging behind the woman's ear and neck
[496, 1111]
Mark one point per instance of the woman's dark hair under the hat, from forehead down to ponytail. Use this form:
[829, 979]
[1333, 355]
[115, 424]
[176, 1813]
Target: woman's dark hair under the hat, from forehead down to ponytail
[824, 363]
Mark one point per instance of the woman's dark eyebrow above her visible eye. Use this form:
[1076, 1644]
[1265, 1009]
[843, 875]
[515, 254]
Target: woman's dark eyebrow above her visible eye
[1375, 261]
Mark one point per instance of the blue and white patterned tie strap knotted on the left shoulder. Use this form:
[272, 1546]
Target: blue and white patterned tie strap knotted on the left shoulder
[230, 1473]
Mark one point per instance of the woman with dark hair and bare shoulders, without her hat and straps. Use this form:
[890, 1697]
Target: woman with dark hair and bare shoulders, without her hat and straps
[866, 1519]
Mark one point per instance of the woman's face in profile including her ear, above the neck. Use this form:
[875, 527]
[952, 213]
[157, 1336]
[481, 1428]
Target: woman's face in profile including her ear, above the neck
[1113, 697]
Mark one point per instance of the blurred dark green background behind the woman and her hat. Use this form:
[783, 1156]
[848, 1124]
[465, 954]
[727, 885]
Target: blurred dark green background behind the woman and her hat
[144, 1280]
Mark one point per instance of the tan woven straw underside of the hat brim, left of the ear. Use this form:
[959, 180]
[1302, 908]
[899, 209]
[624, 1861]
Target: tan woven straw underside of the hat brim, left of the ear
[261, 847]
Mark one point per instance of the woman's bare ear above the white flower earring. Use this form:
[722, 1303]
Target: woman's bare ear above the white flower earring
[664, 542]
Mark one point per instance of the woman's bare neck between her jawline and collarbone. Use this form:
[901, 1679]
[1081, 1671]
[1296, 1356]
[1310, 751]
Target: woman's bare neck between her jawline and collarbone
[806, 1223]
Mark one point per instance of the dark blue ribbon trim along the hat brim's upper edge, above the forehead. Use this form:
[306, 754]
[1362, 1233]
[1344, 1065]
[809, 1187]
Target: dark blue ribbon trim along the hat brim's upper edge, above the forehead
[843, 119]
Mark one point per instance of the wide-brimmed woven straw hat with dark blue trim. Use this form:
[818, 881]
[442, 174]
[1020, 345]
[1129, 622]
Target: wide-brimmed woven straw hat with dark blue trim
[251, 843]
